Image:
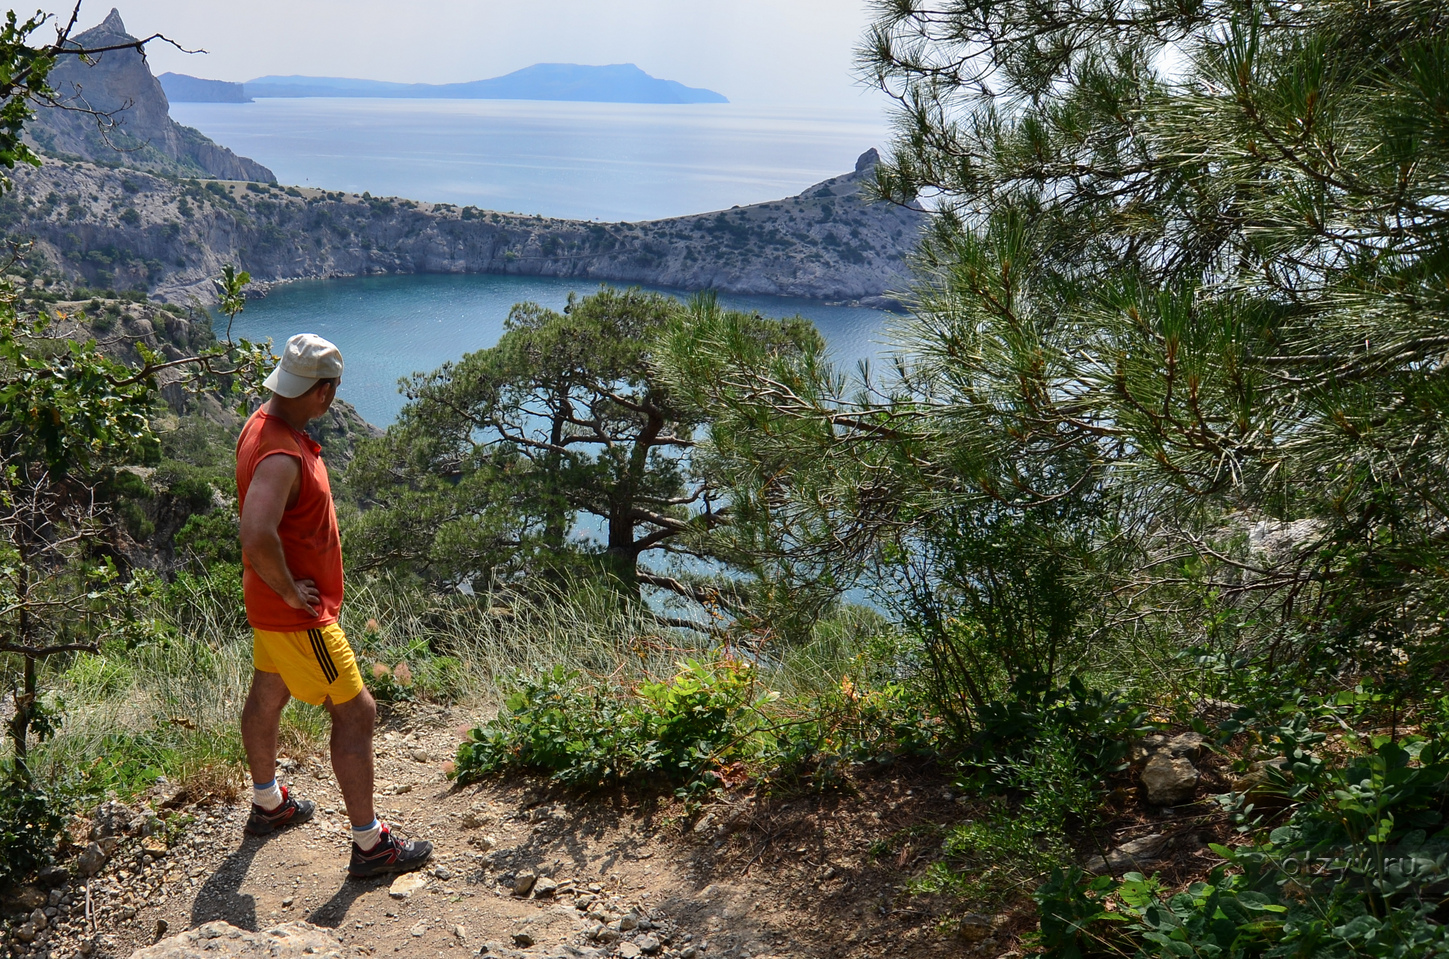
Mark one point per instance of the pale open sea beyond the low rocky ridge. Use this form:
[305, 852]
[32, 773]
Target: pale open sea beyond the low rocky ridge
[612, 162]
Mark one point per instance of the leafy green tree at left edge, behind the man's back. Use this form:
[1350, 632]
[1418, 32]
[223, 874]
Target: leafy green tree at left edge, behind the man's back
[72, 424]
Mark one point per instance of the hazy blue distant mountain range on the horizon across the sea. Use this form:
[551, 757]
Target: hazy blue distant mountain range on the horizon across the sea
[618, 83]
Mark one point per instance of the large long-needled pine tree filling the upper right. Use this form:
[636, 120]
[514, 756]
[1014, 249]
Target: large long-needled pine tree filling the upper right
[1186, 280]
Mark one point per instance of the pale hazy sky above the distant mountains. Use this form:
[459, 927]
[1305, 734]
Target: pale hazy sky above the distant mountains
[753, 51]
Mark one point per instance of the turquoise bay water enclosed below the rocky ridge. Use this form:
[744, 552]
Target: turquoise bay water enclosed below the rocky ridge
[392, 327]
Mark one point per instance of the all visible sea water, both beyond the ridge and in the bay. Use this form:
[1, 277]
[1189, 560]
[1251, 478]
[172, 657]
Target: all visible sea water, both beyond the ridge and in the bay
[564, 160]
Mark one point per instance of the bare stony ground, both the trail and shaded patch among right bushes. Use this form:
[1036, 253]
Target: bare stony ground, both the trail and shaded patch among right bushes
[525, 871]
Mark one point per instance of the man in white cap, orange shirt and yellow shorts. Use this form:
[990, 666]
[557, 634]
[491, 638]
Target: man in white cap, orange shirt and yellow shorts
[292, 580]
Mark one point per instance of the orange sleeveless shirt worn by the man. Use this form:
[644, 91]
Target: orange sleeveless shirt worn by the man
[308, 531]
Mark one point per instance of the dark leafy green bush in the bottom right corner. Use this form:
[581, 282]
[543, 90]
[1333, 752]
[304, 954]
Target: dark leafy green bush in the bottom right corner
[1358, 870]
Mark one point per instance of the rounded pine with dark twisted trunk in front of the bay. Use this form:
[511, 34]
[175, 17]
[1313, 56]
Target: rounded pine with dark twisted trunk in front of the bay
[554, 456]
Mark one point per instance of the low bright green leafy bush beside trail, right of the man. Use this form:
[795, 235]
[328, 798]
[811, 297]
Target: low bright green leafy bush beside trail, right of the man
[588, 735]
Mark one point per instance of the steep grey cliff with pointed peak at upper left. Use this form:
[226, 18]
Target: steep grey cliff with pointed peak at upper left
[144, 137]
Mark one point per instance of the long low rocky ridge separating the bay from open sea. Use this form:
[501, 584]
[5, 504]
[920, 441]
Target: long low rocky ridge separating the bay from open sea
[128, 230]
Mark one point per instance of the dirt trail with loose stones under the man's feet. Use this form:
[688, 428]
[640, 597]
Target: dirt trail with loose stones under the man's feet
[617, 877]
